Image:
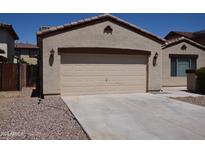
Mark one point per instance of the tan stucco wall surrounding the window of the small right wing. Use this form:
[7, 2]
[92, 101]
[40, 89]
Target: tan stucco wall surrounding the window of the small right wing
[167, 79]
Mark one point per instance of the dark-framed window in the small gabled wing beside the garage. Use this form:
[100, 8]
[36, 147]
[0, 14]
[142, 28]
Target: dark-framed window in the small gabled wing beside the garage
[180, 65]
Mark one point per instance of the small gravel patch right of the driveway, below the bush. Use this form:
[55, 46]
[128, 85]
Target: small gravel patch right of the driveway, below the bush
[193, 100]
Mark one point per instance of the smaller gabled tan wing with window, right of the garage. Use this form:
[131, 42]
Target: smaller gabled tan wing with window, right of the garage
[178, 55]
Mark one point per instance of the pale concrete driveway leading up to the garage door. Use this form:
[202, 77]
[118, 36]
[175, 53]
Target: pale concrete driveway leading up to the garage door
[137, 116]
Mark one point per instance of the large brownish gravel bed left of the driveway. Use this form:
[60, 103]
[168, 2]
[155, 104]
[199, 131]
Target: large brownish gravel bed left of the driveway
[24, 118]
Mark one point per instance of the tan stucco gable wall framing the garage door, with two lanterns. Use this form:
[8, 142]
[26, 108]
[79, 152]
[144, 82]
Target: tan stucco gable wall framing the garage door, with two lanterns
[93, 36]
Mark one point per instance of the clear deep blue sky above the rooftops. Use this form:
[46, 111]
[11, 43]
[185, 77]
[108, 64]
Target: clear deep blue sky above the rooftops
[26, 25]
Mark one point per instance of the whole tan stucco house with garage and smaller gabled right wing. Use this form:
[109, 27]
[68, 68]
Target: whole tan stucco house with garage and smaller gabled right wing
[105, 54]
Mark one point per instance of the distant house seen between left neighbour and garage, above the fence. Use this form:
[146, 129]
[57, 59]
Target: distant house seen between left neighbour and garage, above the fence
[27, 52]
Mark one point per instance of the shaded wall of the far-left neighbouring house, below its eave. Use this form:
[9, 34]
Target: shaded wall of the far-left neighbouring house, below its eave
[7, 43]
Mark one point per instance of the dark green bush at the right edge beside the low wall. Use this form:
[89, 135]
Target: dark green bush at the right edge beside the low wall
[201, 79]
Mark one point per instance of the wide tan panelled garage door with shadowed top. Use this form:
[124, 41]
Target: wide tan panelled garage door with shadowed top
[102, 73]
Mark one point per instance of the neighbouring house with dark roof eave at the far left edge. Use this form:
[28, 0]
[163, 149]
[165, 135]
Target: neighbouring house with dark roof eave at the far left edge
[7, 39]
